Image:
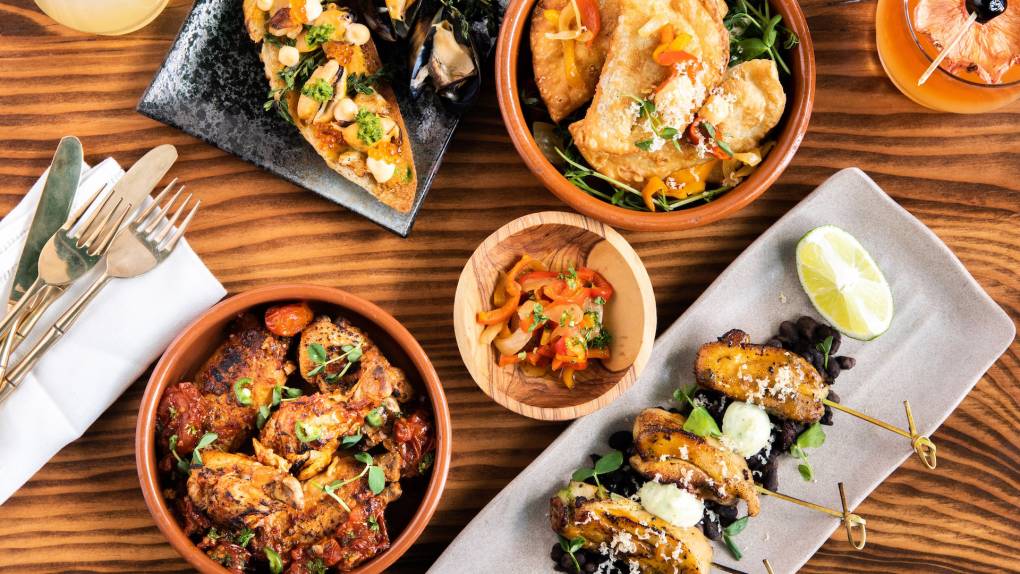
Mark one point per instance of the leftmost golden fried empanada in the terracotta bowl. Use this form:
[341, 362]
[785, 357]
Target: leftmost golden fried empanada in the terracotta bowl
[563, 89]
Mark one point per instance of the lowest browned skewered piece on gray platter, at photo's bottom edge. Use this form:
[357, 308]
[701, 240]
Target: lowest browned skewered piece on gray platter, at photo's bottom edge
[625, 531]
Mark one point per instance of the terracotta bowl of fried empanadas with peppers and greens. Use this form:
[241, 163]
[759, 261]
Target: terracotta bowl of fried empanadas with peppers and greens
[656, 115]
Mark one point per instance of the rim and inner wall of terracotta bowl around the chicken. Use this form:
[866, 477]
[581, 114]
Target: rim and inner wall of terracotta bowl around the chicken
[407, 517]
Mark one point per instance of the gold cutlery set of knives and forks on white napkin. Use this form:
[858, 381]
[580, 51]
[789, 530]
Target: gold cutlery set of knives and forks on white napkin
[61, 249]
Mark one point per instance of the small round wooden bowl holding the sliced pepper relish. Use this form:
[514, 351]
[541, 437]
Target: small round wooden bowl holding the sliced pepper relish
[559, 240]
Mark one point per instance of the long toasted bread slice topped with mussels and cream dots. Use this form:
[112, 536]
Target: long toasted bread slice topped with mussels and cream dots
[336, 98]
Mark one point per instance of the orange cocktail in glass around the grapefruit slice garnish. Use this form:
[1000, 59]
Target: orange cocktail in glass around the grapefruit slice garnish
[906, 55]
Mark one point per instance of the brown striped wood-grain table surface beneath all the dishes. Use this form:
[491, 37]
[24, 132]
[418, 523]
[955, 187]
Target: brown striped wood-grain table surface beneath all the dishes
[84, 511]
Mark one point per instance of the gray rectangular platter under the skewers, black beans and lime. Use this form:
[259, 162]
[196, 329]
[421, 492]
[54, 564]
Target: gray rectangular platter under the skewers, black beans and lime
[946, 334]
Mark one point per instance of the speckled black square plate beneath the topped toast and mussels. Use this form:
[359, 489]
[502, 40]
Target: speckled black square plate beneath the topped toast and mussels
[212, 86]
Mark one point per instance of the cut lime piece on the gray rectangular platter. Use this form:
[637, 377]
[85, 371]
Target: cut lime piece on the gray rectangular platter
[844, 283]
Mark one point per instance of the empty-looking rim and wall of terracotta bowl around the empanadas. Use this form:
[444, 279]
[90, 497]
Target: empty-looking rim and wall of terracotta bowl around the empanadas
[801, 96]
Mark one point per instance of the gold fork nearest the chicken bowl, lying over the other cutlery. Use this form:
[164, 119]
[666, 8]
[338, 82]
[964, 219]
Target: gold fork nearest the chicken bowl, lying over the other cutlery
[146, 242]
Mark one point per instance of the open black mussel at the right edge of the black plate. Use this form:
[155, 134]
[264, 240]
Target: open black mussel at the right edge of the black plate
[445, 56]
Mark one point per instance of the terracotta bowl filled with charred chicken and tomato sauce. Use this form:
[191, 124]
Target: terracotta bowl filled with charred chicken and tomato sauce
[293, 429]
